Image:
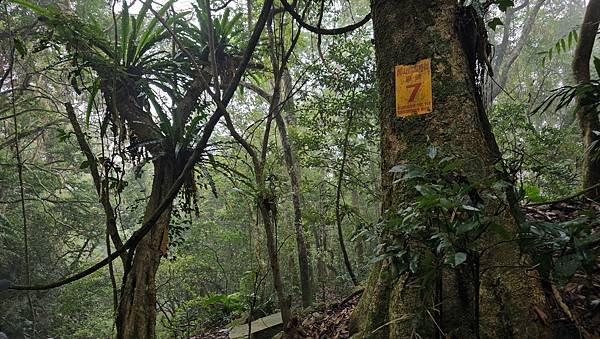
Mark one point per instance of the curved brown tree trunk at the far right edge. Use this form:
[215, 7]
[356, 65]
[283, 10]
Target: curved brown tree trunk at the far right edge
[587, 115]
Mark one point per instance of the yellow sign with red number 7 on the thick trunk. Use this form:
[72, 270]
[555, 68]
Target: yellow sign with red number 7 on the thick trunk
[413, 89]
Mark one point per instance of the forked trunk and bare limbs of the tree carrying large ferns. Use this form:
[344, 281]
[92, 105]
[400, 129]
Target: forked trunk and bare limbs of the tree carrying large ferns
[136, 315]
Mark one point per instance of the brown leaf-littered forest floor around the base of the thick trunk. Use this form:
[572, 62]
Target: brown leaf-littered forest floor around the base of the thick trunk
[574, 306]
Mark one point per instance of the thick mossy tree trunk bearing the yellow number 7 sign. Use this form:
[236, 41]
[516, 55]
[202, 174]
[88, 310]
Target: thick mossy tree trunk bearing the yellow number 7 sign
[406, 32]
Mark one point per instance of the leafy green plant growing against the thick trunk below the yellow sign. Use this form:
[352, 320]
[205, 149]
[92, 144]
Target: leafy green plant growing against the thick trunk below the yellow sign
[442, 225]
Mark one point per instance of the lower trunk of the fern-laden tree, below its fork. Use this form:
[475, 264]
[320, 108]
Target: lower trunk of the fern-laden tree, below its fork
[137, 307]
